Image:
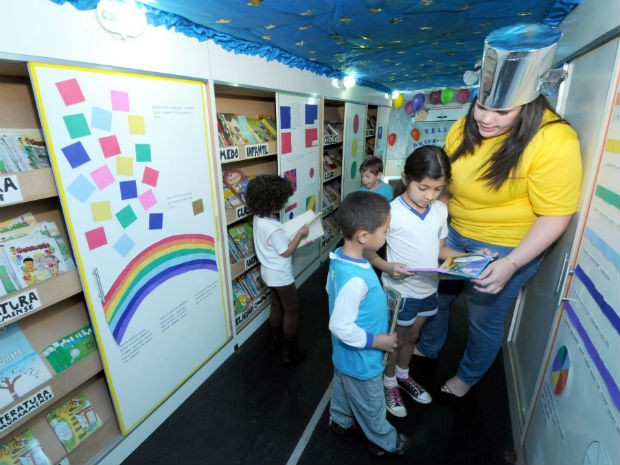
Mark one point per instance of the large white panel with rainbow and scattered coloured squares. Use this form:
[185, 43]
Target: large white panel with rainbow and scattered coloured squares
[131, 160]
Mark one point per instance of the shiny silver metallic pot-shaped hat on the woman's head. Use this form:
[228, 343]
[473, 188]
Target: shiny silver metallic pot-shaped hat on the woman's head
[515, 65]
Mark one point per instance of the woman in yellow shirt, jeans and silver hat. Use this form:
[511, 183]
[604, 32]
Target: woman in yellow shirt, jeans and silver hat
[516, 170]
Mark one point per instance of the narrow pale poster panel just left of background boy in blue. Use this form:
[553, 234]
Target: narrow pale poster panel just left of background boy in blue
[353, 142]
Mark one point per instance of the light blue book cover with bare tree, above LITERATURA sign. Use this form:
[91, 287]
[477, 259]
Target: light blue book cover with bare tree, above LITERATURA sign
[21, 368]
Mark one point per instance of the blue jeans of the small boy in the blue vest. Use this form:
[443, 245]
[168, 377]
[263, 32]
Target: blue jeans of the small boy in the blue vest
[362, 401]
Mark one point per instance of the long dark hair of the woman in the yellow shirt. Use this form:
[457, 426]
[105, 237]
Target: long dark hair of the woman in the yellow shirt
[507, 157]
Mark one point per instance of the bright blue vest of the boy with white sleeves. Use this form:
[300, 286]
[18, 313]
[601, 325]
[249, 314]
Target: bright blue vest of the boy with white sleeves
[359, 363]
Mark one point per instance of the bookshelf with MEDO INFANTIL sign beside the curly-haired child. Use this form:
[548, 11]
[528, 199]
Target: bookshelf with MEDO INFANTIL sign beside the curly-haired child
[240, 162]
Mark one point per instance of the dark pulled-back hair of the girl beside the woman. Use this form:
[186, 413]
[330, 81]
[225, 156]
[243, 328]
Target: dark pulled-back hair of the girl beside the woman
[427, 161]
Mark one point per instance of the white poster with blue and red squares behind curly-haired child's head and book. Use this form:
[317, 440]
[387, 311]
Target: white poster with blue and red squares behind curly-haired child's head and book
[298, 117]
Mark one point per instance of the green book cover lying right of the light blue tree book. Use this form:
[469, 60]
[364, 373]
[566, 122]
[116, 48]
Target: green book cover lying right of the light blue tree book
[70, 349]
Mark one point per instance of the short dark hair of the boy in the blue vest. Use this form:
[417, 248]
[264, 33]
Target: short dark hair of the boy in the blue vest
[362, 211]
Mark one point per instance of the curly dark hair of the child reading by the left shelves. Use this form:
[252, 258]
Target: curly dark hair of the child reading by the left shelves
[268, 193]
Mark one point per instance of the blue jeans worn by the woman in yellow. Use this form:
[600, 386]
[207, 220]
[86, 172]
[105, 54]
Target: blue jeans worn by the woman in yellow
[487, 313]
